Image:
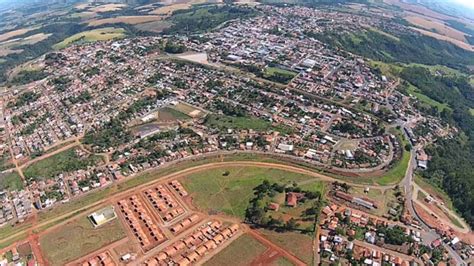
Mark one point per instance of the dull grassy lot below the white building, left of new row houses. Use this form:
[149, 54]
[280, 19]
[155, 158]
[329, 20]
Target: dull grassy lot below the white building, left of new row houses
[77, 239]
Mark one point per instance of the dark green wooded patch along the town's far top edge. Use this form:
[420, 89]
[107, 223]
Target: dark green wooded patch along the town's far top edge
[205, 17]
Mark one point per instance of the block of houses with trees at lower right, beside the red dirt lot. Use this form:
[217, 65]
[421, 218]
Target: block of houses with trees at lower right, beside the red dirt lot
[350, 235]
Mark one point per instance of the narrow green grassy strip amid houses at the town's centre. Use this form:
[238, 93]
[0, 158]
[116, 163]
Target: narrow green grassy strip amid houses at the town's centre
[239, 123]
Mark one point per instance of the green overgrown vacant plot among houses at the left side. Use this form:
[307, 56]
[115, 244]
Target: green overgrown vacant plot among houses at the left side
[62, 162]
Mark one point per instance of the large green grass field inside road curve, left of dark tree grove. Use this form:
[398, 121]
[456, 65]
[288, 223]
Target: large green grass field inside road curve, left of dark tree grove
[215, 193]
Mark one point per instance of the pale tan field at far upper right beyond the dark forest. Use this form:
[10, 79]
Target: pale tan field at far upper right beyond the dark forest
[437, 26]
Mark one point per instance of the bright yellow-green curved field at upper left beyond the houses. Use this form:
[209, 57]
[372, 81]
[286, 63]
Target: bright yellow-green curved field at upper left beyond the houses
[101, 34]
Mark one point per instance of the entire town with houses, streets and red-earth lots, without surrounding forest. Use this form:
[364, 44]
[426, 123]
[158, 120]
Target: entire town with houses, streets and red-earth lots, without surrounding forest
[252, 143]
